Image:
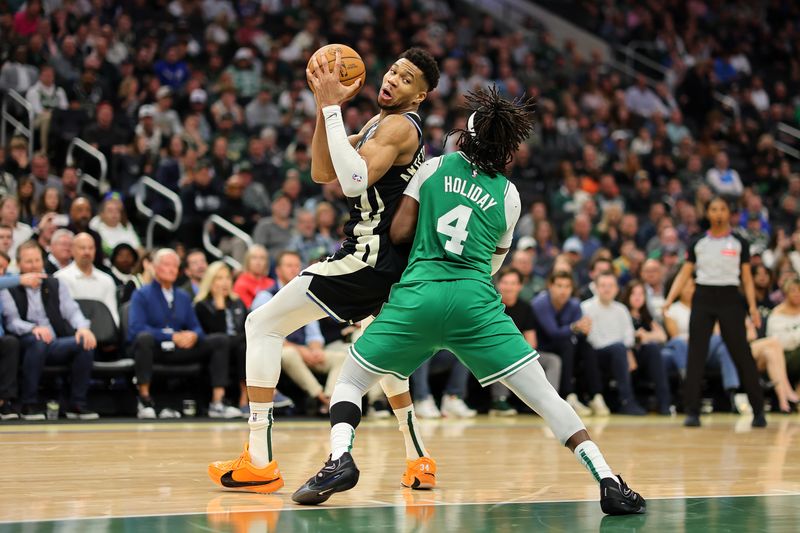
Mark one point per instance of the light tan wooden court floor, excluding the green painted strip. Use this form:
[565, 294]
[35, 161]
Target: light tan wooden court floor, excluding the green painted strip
[105, 470]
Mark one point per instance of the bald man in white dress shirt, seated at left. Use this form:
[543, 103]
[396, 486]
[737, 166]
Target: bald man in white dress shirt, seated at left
[84, 281]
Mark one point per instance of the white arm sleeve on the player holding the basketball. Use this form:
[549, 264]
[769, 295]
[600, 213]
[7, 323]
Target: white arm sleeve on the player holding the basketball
[350, 167]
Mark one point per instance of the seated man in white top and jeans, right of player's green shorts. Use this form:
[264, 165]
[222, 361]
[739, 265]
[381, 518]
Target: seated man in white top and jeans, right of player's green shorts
[612, 338]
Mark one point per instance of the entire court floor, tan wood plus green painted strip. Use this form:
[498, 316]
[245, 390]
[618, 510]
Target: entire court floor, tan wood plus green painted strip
[722, 477]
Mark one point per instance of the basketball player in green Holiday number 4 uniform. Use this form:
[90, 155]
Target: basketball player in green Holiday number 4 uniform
[463, 211]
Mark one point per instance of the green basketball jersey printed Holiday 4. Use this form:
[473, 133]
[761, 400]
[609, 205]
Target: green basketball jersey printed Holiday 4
[464, 216]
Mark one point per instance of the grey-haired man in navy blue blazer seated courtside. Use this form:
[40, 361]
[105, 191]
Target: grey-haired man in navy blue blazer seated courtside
[163, 327]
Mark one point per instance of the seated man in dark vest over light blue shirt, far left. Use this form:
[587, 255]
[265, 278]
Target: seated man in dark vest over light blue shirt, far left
[52, 330]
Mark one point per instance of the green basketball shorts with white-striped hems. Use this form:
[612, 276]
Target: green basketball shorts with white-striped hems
[465, 317]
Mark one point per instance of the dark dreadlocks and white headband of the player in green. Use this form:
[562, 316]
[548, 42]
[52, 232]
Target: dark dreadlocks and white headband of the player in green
[495, 129]
